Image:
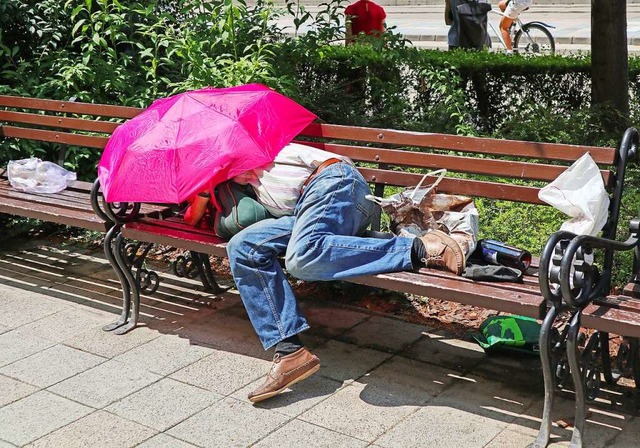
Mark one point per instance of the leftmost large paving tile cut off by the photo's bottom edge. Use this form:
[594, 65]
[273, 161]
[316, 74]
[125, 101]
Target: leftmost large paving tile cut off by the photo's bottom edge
[97, 430]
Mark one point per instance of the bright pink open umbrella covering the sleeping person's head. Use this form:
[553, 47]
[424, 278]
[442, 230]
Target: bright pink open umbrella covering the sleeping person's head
[185, 143]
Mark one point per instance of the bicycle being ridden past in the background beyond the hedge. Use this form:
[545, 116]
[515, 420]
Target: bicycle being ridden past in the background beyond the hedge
[533, 38]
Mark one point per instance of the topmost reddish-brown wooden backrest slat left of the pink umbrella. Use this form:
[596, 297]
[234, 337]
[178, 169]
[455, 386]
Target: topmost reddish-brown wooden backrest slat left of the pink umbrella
[104, 110]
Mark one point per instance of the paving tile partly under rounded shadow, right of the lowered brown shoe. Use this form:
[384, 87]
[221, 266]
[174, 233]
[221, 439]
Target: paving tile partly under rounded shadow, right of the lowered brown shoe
[372, 405]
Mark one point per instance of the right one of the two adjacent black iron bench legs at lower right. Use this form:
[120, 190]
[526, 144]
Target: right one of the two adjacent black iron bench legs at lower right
[578, 381]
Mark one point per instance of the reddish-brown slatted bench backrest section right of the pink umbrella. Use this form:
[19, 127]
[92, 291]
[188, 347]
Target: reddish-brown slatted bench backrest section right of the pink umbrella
[500, 169]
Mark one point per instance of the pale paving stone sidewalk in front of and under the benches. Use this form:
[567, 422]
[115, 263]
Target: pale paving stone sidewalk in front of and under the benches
[181, 379]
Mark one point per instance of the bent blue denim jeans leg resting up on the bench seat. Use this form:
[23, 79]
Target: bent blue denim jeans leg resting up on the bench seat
[331, 212]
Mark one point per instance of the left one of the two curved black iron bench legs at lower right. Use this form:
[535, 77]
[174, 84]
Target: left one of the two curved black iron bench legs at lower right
[545, 341]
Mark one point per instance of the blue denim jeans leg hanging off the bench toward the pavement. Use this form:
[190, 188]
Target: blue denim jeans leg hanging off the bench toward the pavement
[263, 286]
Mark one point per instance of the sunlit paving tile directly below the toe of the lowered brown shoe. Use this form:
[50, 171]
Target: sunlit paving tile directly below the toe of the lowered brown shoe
[228, 423]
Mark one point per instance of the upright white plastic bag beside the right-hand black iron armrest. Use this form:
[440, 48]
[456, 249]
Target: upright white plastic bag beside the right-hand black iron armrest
[579, 193]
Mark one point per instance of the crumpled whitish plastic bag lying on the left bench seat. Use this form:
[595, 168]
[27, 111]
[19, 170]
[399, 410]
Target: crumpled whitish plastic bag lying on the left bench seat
[35, 176]
